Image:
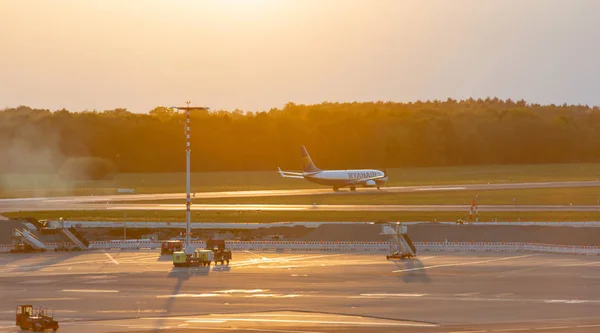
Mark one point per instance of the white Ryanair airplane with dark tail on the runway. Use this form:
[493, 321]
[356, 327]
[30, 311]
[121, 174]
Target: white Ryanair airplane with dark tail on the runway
[336, 178]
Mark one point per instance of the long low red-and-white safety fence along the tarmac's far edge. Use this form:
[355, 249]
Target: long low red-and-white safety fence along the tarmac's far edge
[318, 246]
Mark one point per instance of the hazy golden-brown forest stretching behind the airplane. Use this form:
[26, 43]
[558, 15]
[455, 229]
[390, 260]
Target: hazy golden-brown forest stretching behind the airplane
[337, 135]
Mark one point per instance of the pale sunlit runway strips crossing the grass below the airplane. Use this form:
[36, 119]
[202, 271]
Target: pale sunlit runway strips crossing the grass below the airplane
[118, 202]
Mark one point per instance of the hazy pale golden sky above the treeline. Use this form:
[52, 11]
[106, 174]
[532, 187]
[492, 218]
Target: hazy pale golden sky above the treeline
[258, 54]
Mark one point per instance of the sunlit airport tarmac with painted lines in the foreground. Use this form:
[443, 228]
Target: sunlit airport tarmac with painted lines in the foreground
[138, 291]
